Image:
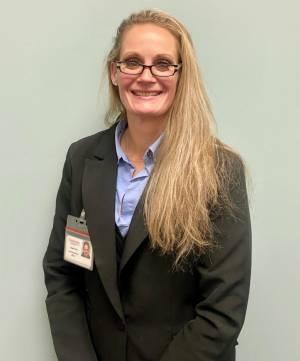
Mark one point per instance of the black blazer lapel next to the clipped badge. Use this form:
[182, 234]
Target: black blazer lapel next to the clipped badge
[98, 190]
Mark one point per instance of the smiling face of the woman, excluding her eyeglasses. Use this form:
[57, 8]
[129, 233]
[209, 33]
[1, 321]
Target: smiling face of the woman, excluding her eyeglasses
[145, 95]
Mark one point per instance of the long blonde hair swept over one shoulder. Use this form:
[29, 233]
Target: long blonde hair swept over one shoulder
[189, 178]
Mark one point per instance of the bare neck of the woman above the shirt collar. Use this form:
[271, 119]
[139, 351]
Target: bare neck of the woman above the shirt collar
[140, 134]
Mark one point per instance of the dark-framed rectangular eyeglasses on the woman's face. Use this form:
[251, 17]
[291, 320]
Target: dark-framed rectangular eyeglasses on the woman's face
[161, 69]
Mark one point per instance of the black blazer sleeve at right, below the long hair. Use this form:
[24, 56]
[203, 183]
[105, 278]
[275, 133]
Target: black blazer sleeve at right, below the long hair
[224, 278]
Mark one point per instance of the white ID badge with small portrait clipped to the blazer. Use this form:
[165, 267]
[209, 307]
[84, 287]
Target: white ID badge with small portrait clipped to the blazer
[78, 247]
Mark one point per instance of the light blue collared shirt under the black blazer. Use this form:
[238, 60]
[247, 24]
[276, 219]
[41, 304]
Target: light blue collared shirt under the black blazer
[129, 188]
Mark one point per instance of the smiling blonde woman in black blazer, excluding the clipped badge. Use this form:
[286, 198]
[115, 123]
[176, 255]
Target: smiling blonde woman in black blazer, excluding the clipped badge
[166, 210]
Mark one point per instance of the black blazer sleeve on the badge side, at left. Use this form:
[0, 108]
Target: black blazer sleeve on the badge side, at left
[64, 282]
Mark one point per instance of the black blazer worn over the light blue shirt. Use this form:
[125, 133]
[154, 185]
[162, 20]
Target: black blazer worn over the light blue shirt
[146, 310]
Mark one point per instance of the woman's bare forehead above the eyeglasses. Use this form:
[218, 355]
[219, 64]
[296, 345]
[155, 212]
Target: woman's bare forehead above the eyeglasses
[149, 40]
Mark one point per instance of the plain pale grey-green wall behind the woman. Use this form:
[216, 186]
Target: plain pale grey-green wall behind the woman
[52, 53]
